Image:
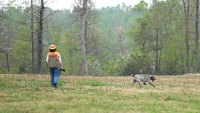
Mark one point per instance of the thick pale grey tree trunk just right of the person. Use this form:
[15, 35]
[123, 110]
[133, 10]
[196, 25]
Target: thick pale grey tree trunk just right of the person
[82, 36]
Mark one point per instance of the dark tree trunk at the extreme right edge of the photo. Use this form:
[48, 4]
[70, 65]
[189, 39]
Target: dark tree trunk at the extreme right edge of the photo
[197, 36]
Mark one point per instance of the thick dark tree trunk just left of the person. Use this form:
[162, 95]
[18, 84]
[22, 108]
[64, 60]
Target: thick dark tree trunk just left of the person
[40, 38]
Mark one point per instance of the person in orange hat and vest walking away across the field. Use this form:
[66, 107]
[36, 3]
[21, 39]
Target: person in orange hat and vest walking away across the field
[54, 63]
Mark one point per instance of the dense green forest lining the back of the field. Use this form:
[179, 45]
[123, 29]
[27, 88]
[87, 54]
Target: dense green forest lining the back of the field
[161, 38]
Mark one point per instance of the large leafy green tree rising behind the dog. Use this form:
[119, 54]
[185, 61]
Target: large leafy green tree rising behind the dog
[159, 37]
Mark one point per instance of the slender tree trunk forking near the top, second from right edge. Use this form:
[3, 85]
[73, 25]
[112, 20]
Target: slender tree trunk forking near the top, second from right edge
[186, 13]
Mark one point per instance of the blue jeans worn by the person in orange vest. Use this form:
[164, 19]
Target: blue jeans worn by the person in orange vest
[54, 74]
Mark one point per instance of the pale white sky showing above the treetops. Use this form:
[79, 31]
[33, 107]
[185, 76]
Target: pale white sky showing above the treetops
[67, 4]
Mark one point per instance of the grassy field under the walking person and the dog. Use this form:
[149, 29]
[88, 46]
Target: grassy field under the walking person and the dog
[89, 94]
